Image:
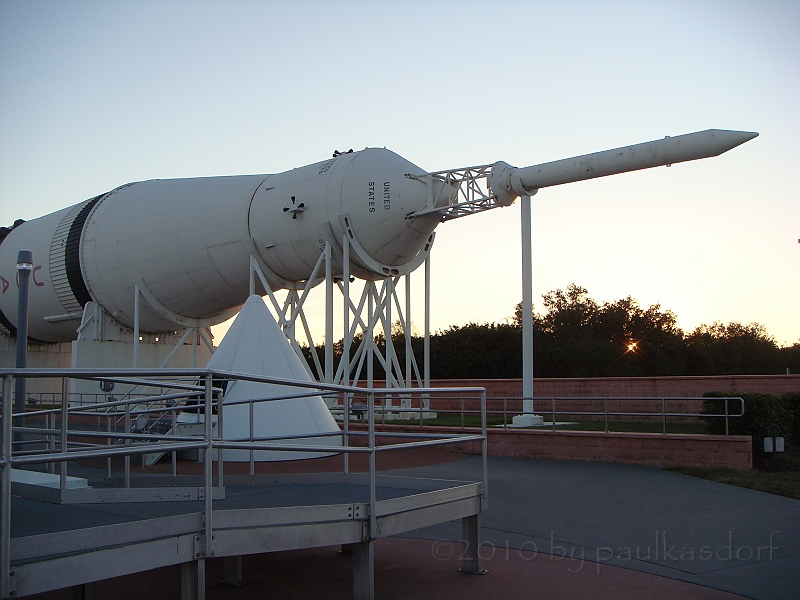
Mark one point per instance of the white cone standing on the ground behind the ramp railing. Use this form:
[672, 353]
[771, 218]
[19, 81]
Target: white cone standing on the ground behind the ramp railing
[255, 345]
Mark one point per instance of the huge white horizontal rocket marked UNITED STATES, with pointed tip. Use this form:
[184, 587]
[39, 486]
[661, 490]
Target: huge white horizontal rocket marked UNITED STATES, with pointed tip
[190, 241]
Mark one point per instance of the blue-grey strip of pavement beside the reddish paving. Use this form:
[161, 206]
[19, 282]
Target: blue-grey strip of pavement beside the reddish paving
[640, 518]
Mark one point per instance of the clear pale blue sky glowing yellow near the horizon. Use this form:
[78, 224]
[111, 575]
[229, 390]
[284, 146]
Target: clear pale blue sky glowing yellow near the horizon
[96, 94]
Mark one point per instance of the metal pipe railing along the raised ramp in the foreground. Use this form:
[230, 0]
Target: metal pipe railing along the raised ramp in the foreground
[57, 445]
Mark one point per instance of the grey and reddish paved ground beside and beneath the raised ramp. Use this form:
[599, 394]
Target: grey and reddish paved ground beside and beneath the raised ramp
[554, 530]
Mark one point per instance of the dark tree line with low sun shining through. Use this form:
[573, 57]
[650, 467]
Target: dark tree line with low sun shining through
[578, 336]
